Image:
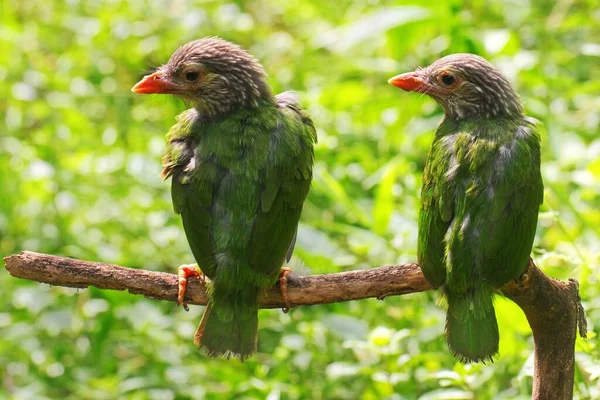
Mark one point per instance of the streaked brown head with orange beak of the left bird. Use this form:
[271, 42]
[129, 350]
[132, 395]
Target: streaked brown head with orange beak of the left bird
[213, 75]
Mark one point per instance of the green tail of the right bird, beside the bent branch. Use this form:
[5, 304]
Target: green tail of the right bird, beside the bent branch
[471, 327]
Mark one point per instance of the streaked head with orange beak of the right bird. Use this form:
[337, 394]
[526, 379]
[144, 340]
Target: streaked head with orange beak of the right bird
[465, 85]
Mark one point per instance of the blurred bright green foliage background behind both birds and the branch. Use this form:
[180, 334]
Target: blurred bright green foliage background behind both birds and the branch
[79, 176]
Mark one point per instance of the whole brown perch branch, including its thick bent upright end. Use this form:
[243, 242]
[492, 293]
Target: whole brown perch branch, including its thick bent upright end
[552, 308]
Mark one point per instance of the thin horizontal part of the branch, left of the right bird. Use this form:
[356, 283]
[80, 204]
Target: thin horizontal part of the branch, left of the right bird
[302, 290]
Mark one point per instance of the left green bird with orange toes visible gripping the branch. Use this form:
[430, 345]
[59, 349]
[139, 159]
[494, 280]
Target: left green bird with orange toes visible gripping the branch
[240, 162]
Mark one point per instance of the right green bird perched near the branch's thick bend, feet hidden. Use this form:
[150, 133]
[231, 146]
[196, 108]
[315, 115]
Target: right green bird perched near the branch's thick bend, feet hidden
[480, 196]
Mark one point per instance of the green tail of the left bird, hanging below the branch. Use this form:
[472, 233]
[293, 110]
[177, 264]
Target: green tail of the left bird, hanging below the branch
[229, 326]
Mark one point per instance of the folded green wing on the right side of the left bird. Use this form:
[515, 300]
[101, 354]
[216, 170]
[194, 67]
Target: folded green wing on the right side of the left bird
[287, 177]
